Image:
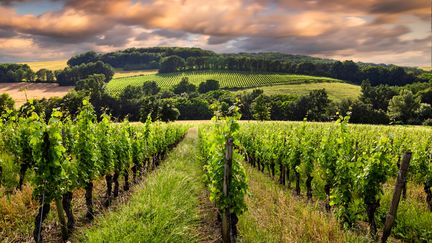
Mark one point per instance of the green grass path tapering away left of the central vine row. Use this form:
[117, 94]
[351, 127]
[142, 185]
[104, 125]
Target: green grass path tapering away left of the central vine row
[170, 205]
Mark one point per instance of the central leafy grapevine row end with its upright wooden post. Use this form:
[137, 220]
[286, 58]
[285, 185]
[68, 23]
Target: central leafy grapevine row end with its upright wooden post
[225, 175]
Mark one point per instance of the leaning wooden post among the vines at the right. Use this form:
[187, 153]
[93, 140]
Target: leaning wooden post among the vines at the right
[400, 182]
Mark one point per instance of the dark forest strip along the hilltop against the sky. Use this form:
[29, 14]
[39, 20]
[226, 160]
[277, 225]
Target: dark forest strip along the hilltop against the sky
[175, 59]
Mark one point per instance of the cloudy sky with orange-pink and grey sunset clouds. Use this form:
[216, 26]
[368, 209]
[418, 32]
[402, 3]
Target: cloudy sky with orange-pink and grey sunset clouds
[379, 31]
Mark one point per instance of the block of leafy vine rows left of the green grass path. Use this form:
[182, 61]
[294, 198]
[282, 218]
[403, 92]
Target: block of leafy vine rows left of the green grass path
[62, 155]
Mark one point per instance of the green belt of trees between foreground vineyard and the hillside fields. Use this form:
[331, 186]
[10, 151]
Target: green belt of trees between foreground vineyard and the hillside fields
[382, 104]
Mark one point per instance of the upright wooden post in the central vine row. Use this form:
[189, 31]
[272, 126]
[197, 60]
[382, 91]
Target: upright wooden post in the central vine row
[228, 228]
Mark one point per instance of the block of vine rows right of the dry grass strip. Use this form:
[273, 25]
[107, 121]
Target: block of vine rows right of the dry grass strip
[347, 167]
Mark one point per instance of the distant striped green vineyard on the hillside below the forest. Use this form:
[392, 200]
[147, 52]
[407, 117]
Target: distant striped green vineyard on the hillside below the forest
[226, 79]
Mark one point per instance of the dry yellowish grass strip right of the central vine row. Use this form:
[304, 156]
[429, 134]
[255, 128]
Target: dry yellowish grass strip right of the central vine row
[274, 215]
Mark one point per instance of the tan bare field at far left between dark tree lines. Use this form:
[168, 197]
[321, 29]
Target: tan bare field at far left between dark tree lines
[21, 92]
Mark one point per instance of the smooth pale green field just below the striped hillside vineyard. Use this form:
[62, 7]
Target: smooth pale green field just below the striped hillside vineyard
[336, 91]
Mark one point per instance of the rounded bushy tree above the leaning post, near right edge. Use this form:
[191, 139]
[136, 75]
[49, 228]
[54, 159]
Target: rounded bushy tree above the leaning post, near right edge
[402, 107]
